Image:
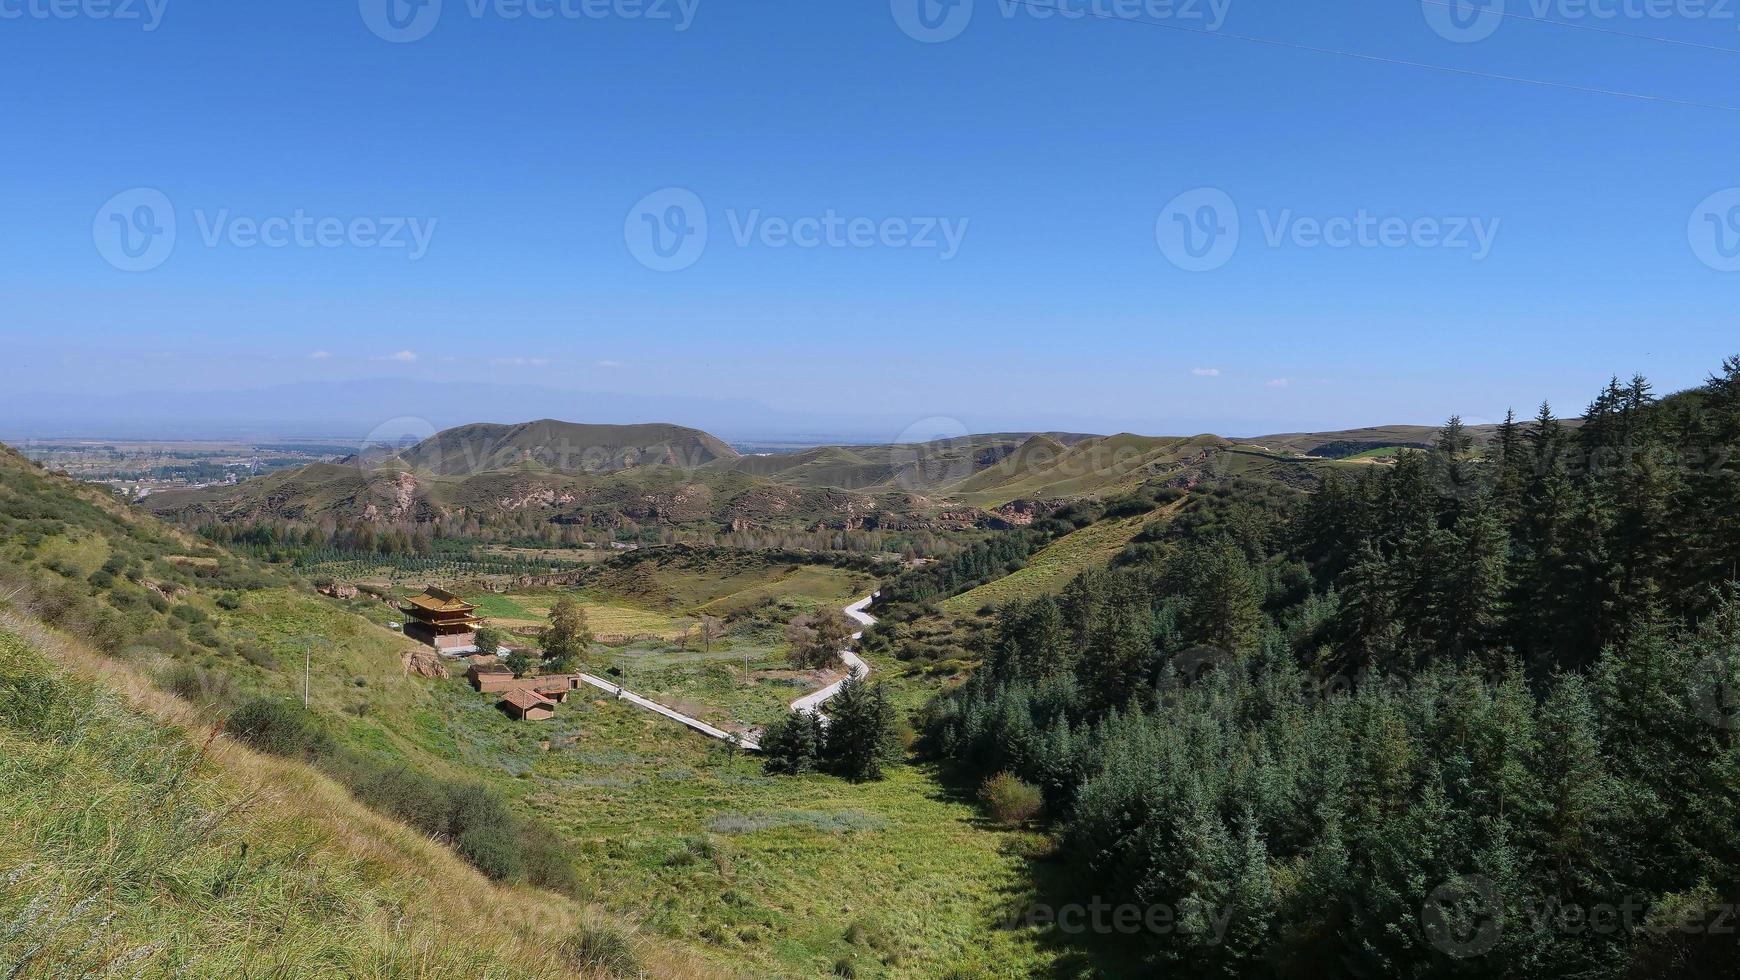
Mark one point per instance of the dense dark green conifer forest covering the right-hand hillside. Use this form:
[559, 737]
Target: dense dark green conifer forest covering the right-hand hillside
[1464, 715]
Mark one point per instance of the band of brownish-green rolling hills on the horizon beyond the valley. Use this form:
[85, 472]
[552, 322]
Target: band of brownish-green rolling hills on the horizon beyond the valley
[666, 474]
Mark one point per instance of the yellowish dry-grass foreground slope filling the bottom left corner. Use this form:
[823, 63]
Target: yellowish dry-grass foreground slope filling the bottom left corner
[140, 845]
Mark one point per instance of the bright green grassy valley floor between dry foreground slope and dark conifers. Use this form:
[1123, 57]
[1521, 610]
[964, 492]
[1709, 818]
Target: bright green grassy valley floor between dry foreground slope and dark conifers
[773, 873]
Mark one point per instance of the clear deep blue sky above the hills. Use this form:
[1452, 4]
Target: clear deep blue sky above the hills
[1052, 147]
